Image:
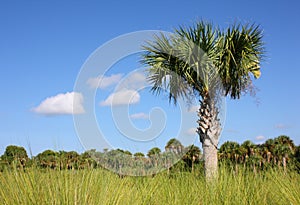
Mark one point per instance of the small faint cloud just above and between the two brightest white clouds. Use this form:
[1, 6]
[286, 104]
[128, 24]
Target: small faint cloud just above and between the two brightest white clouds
[103, 82]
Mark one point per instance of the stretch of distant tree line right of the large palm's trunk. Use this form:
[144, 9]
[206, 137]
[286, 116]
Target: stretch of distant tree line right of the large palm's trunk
[280, 152]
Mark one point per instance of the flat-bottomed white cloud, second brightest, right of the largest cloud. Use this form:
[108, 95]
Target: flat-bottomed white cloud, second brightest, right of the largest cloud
[122, 97]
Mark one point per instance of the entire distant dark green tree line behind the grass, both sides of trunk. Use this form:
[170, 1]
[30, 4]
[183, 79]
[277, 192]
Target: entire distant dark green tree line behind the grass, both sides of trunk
[279, 153]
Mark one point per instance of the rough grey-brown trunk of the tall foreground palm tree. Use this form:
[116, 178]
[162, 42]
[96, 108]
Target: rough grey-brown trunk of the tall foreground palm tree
[209, 130]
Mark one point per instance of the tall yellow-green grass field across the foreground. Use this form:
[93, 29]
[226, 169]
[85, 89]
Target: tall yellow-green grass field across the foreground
[103, 187]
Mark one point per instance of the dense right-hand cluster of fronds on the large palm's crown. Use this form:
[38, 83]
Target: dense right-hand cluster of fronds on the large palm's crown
[241, 51]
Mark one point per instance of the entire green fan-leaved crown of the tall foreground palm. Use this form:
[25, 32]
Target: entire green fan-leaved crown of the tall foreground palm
[188, 56]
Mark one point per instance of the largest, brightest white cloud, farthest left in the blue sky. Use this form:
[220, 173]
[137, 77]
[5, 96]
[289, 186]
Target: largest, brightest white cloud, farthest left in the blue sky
[64, 103]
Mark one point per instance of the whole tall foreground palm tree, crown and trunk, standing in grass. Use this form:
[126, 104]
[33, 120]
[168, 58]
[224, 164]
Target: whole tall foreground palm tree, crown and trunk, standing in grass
[207, 62]
